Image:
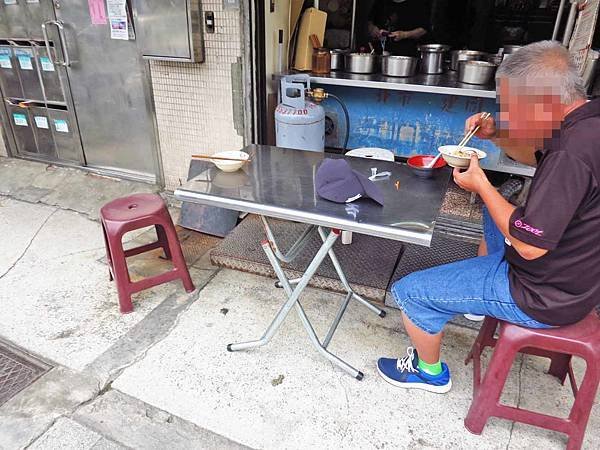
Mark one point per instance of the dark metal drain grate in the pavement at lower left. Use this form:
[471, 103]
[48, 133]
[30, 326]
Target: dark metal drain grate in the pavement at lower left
[17, 371]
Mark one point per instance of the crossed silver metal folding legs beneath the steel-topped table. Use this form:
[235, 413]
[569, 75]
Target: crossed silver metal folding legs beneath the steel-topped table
[275, 257]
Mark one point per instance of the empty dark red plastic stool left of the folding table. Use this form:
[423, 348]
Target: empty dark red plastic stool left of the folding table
[131, 213]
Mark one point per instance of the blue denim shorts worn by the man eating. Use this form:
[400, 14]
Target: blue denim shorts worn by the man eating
[432, 297]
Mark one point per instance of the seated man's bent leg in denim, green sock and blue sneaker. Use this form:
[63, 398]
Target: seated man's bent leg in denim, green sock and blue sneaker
[429, 299]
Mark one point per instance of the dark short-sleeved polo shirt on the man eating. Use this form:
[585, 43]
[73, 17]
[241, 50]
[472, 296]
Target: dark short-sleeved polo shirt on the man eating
[562, 215]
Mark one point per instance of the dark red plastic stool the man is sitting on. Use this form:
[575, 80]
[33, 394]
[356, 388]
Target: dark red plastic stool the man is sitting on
[559, 344]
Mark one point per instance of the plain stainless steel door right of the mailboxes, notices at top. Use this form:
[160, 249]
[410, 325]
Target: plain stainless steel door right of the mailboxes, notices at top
[109, 89]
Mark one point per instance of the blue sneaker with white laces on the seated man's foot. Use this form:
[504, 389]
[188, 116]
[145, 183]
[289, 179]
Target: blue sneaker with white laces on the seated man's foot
[405, 373]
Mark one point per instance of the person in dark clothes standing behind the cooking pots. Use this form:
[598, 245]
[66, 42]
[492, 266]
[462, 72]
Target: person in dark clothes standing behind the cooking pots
[403, 24]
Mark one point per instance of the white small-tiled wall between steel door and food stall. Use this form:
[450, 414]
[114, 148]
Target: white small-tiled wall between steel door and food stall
[194, 102]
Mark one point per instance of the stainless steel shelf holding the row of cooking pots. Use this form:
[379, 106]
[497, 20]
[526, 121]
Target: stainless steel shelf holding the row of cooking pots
[446, 83]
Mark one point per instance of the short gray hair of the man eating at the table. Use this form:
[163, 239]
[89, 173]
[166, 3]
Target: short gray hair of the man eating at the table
[542, 64]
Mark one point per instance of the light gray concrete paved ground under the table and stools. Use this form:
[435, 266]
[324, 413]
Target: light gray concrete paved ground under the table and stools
[161, 376]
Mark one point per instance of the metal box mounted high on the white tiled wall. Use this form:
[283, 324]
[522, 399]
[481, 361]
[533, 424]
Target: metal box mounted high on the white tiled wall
[170, 30]
